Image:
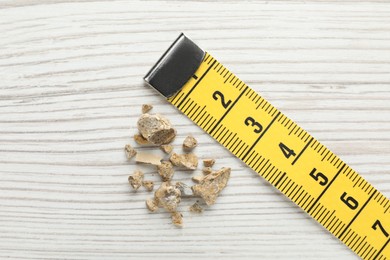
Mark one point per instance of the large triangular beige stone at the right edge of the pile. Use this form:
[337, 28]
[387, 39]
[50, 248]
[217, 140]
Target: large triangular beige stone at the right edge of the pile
[212, 185]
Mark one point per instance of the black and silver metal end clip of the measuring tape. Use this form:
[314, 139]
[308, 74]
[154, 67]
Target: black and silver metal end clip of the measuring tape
[175, 67]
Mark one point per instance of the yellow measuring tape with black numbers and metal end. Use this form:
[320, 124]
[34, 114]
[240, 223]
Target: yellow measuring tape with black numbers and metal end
[275, 147]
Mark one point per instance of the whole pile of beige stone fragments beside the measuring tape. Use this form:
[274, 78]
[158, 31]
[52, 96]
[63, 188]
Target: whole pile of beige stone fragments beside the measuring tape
[155, 130]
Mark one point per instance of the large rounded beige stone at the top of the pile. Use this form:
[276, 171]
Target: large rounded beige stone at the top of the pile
[156, 129]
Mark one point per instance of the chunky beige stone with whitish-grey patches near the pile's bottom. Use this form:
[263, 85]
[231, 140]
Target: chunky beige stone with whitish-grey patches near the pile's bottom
[168, 196]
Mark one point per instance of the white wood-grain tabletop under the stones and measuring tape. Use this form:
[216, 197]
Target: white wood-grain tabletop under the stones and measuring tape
[70, 93]
